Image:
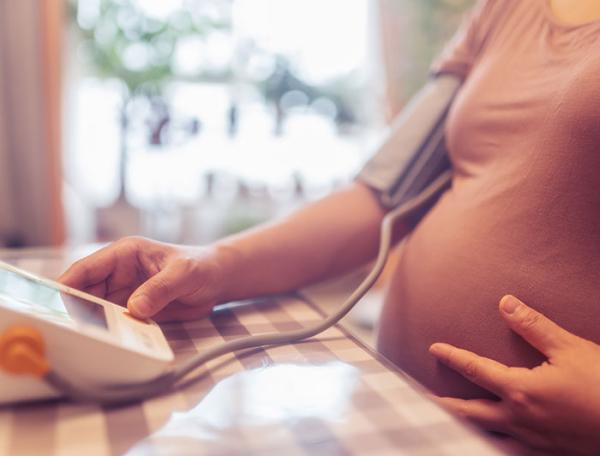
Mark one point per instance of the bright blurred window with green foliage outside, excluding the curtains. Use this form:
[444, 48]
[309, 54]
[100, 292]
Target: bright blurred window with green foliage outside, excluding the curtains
[190, 119]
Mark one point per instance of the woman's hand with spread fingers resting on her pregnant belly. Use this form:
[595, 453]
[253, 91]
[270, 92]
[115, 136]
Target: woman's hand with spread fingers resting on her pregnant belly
[554, 406]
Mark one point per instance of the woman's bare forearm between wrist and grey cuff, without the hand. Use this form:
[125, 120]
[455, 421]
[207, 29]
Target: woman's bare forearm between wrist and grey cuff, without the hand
[321, 240]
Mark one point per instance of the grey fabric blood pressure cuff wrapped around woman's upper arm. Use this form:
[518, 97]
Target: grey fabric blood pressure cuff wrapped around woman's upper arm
[414, 153]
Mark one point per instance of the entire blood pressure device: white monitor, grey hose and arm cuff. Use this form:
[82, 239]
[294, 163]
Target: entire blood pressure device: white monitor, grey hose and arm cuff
[91, 350]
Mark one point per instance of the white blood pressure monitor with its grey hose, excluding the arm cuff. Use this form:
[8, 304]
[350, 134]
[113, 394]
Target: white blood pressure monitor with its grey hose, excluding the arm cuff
[91, 350]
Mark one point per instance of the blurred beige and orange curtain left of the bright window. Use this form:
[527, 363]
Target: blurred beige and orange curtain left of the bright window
[31, 210]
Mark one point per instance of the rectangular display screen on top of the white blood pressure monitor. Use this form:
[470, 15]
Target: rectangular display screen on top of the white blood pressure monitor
[30, 296]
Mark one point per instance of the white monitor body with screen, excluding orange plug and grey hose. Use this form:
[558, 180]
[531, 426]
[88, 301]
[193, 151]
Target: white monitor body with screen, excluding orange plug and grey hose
[89, 340]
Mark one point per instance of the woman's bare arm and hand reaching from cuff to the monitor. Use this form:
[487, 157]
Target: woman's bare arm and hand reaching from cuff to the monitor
[176, 282]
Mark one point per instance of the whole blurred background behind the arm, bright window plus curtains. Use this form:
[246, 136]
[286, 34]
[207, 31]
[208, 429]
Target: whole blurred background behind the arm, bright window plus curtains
[186, 120]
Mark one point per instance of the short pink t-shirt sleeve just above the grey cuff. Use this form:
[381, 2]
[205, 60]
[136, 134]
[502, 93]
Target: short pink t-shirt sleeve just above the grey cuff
[460, 53]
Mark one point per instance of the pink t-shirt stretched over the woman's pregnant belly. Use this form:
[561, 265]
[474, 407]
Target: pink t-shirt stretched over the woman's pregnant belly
[523, 214]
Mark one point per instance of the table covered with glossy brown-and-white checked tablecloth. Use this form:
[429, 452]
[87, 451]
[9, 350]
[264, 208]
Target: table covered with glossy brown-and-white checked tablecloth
[328, 395]
